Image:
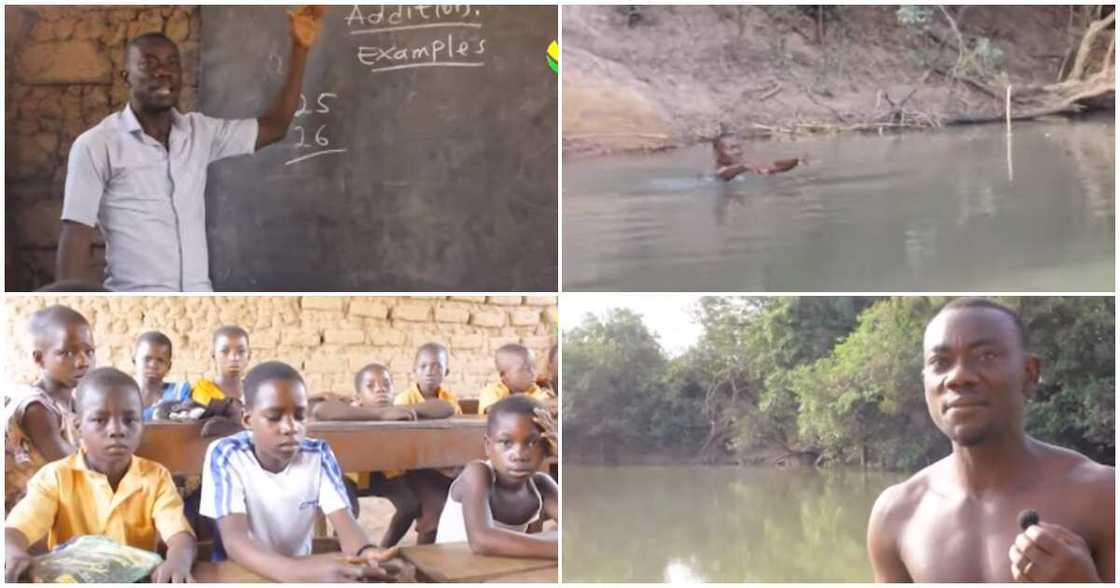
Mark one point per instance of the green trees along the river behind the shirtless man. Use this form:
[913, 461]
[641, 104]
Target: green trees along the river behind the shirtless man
[826, 379]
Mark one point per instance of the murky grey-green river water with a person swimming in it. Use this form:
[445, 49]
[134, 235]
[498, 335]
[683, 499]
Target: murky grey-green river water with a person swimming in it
[940, 211]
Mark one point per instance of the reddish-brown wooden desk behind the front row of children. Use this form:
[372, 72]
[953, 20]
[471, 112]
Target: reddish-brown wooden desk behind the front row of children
[359, 446]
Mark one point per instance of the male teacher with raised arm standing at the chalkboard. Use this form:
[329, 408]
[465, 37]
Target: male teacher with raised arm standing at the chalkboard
[141, 175]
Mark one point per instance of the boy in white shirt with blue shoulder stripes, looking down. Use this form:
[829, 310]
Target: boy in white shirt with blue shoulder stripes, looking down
[266, 486]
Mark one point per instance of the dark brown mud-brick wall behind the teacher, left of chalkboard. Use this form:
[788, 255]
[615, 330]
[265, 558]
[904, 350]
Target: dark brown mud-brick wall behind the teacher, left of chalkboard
[63, 77]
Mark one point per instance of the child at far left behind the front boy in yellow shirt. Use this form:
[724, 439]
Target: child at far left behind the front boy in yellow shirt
[40, 418]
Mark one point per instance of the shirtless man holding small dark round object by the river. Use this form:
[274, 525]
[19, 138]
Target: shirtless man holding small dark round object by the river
[957, 521]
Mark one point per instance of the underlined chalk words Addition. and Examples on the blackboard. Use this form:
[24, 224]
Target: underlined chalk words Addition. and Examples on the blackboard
[464, 48]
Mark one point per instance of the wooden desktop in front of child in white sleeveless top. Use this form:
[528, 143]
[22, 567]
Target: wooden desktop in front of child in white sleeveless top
[455, 563]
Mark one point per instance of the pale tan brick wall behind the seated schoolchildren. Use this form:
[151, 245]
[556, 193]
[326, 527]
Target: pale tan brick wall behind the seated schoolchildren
[326, 338]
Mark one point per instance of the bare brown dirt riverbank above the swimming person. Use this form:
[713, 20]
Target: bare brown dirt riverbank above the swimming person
[651, 78]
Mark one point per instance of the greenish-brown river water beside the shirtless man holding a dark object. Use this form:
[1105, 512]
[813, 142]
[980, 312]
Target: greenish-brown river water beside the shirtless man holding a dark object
[717, 525]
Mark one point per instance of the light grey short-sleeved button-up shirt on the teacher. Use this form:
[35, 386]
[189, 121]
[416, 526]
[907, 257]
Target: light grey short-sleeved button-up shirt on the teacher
[148, 201]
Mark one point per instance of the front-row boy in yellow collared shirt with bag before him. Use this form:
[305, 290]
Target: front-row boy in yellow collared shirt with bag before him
[104, 489]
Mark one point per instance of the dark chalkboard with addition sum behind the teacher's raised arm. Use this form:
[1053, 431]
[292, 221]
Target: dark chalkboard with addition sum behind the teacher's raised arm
[424, 157]
